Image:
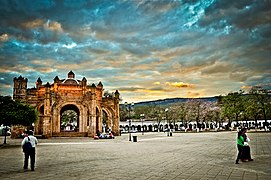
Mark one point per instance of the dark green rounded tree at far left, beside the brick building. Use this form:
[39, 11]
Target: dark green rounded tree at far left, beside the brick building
[16, 113]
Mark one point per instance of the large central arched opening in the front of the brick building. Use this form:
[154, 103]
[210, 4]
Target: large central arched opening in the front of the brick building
[69, 118]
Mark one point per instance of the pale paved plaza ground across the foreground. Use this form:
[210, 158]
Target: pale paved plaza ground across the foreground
[203, 156]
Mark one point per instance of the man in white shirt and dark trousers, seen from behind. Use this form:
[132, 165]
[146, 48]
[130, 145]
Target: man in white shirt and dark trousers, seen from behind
[31, 152]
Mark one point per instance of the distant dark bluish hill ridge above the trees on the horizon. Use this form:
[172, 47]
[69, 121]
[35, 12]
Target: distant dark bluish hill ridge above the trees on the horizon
[168, 101]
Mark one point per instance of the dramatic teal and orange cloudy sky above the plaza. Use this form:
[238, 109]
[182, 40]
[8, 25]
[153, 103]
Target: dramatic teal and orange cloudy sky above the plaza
[147, 50]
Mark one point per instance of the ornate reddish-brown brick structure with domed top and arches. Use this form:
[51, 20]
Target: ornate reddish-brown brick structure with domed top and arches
[92, 110]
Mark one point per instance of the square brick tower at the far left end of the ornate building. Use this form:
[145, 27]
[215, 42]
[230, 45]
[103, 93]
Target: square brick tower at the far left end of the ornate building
[20, 88]
